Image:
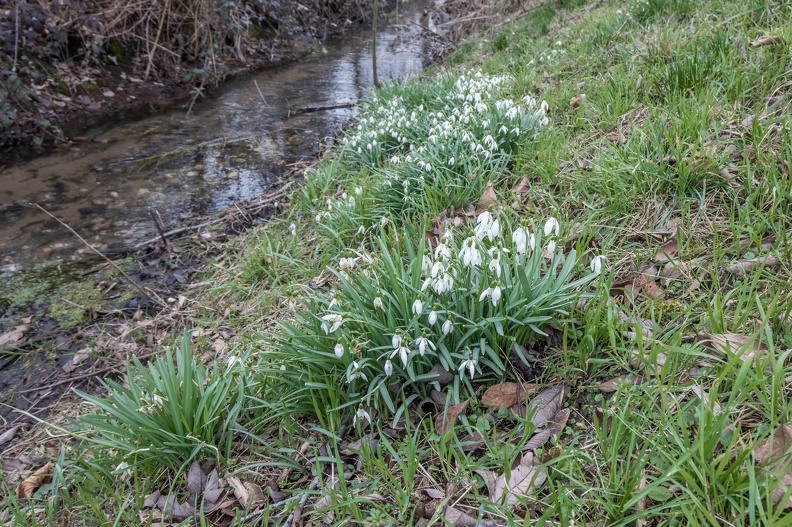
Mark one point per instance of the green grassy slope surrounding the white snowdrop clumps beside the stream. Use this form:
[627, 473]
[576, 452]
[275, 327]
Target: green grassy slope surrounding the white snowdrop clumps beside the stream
[661, 113]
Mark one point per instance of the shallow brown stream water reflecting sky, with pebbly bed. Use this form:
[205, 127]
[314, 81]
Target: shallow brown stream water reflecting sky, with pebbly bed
[230, 148]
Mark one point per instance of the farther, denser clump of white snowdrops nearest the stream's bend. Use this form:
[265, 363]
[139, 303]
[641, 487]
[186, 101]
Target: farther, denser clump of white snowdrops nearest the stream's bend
[425, 147]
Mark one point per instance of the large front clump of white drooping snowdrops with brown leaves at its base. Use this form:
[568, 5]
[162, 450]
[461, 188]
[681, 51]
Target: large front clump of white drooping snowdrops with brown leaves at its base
[458, 307]
